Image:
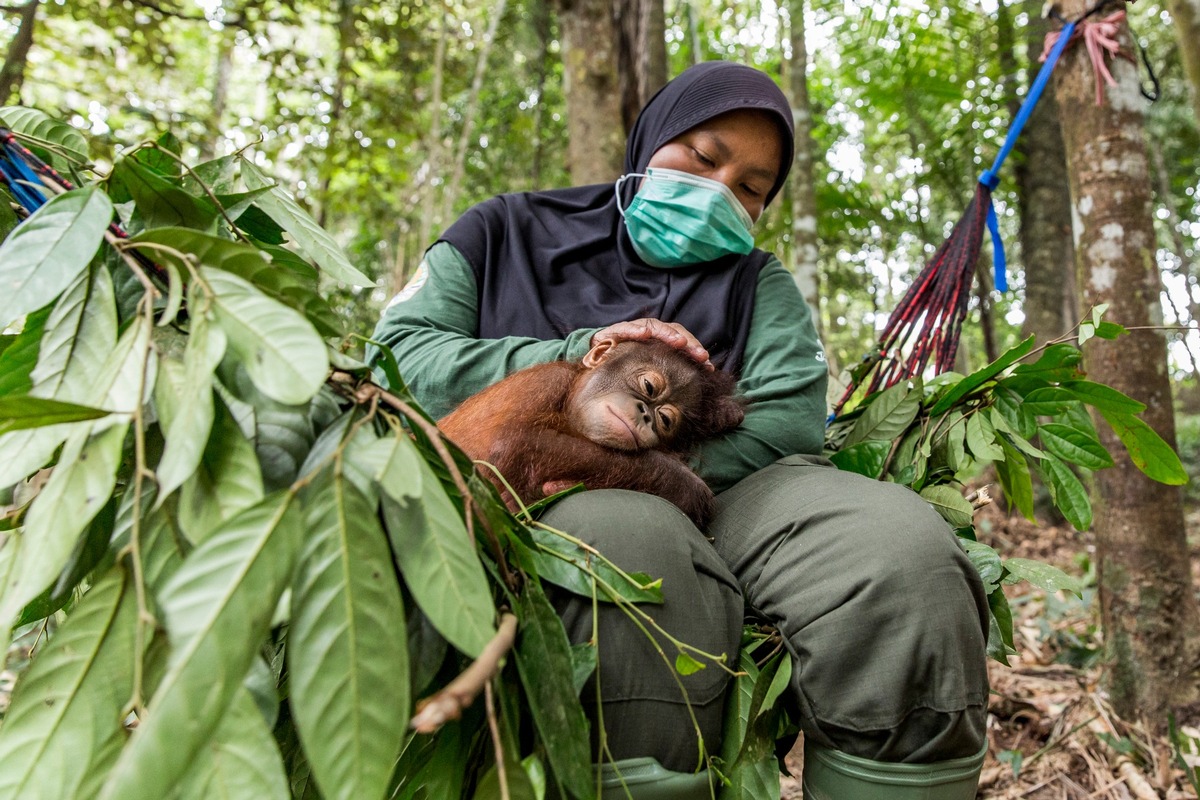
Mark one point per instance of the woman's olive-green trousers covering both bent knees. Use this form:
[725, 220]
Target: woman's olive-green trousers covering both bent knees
[883, 612]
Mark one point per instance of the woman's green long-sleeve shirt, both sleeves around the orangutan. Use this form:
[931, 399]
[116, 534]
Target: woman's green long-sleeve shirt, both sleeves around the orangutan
[433, 329]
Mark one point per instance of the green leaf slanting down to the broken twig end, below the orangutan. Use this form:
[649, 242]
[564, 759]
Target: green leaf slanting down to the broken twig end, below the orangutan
[439, 561]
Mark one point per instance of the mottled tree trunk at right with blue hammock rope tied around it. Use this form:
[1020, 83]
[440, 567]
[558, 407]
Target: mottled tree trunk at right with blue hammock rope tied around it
[1147, 596]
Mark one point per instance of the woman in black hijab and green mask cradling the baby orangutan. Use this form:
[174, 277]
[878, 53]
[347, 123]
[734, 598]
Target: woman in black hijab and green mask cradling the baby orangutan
[880, 609]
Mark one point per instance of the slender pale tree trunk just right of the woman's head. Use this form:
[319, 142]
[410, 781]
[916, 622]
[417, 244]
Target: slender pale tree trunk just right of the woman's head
[806, 254]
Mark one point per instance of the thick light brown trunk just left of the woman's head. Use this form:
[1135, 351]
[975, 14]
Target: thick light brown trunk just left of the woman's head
[596, 142]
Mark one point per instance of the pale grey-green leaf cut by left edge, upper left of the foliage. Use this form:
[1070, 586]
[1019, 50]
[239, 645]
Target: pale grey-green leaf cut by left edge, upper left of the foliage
[50, 250]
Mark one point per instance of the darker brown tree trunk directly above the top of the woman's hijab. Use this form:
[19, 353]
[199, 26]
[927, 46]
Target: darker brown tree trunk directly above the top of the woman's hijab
[643, 53]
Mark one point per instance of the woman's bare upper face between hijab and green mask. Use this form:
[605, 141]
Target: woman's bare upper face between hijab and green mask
[741, 149]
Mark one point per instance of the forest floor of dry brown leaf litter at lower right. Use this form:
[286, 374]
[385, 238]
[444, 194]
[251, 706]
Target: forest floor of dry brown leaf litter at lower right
[1053, 735]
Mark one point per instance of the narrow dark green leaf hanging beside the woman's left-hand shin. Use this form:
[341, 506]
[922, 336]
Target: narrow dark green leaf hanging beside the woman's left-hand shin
[544, 663]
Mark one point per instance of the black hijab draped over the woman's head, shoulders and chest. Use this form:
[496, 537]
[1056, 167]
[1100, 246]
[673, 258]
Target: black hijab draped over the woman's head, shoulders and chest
[549, 263]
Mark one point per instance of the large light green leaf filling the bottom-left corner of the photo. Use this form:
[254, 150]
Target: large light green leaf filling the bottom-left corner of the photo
[64, 729]
